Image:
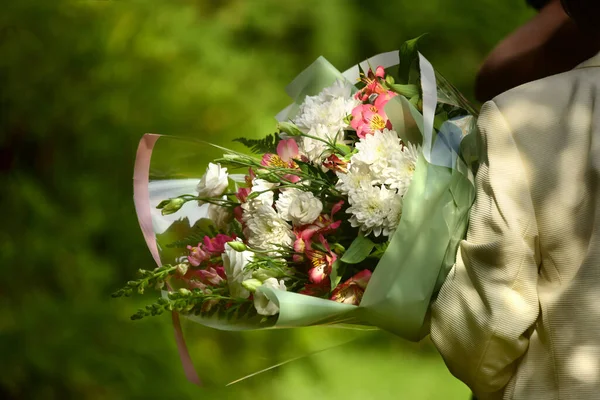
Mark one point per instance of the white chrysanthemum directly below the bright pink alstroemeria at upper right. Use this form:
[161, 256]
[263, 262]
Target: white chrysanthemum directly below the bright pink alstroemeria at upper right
[377, 150]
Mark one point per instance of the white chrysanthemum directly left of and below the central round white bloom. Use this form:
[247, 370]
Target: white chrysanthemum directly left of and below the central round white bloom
[265, 229]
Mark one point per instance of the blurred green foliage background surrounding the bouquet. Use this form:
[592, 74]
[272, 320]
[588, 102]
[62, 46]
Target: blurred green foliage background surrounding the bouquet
[80, 82]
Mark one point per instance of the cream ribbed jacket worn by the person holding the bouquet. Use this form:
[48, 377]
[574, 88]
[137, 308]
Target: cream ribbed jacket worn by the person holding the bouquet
[519, 315]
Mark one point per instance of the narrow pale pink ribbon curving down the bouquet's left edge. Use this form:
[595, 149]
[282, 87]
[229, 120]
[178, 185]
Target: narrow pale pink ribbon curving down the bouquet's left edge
[141, 199]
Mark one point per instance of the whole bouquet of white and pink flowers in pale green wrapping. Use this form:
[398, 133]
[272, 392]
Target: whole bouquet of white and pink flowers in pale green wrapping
[350, 214]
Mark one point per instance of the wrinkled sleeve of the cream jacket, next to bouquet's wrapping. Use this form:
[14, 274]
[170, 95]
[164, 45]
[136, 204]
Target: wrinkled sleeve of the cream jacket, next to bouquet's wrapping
[482, 316]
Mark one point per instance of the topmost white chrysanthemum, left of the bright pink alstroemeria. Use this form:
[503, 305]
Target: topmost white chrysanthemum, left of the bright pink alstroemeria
[329, 108]
